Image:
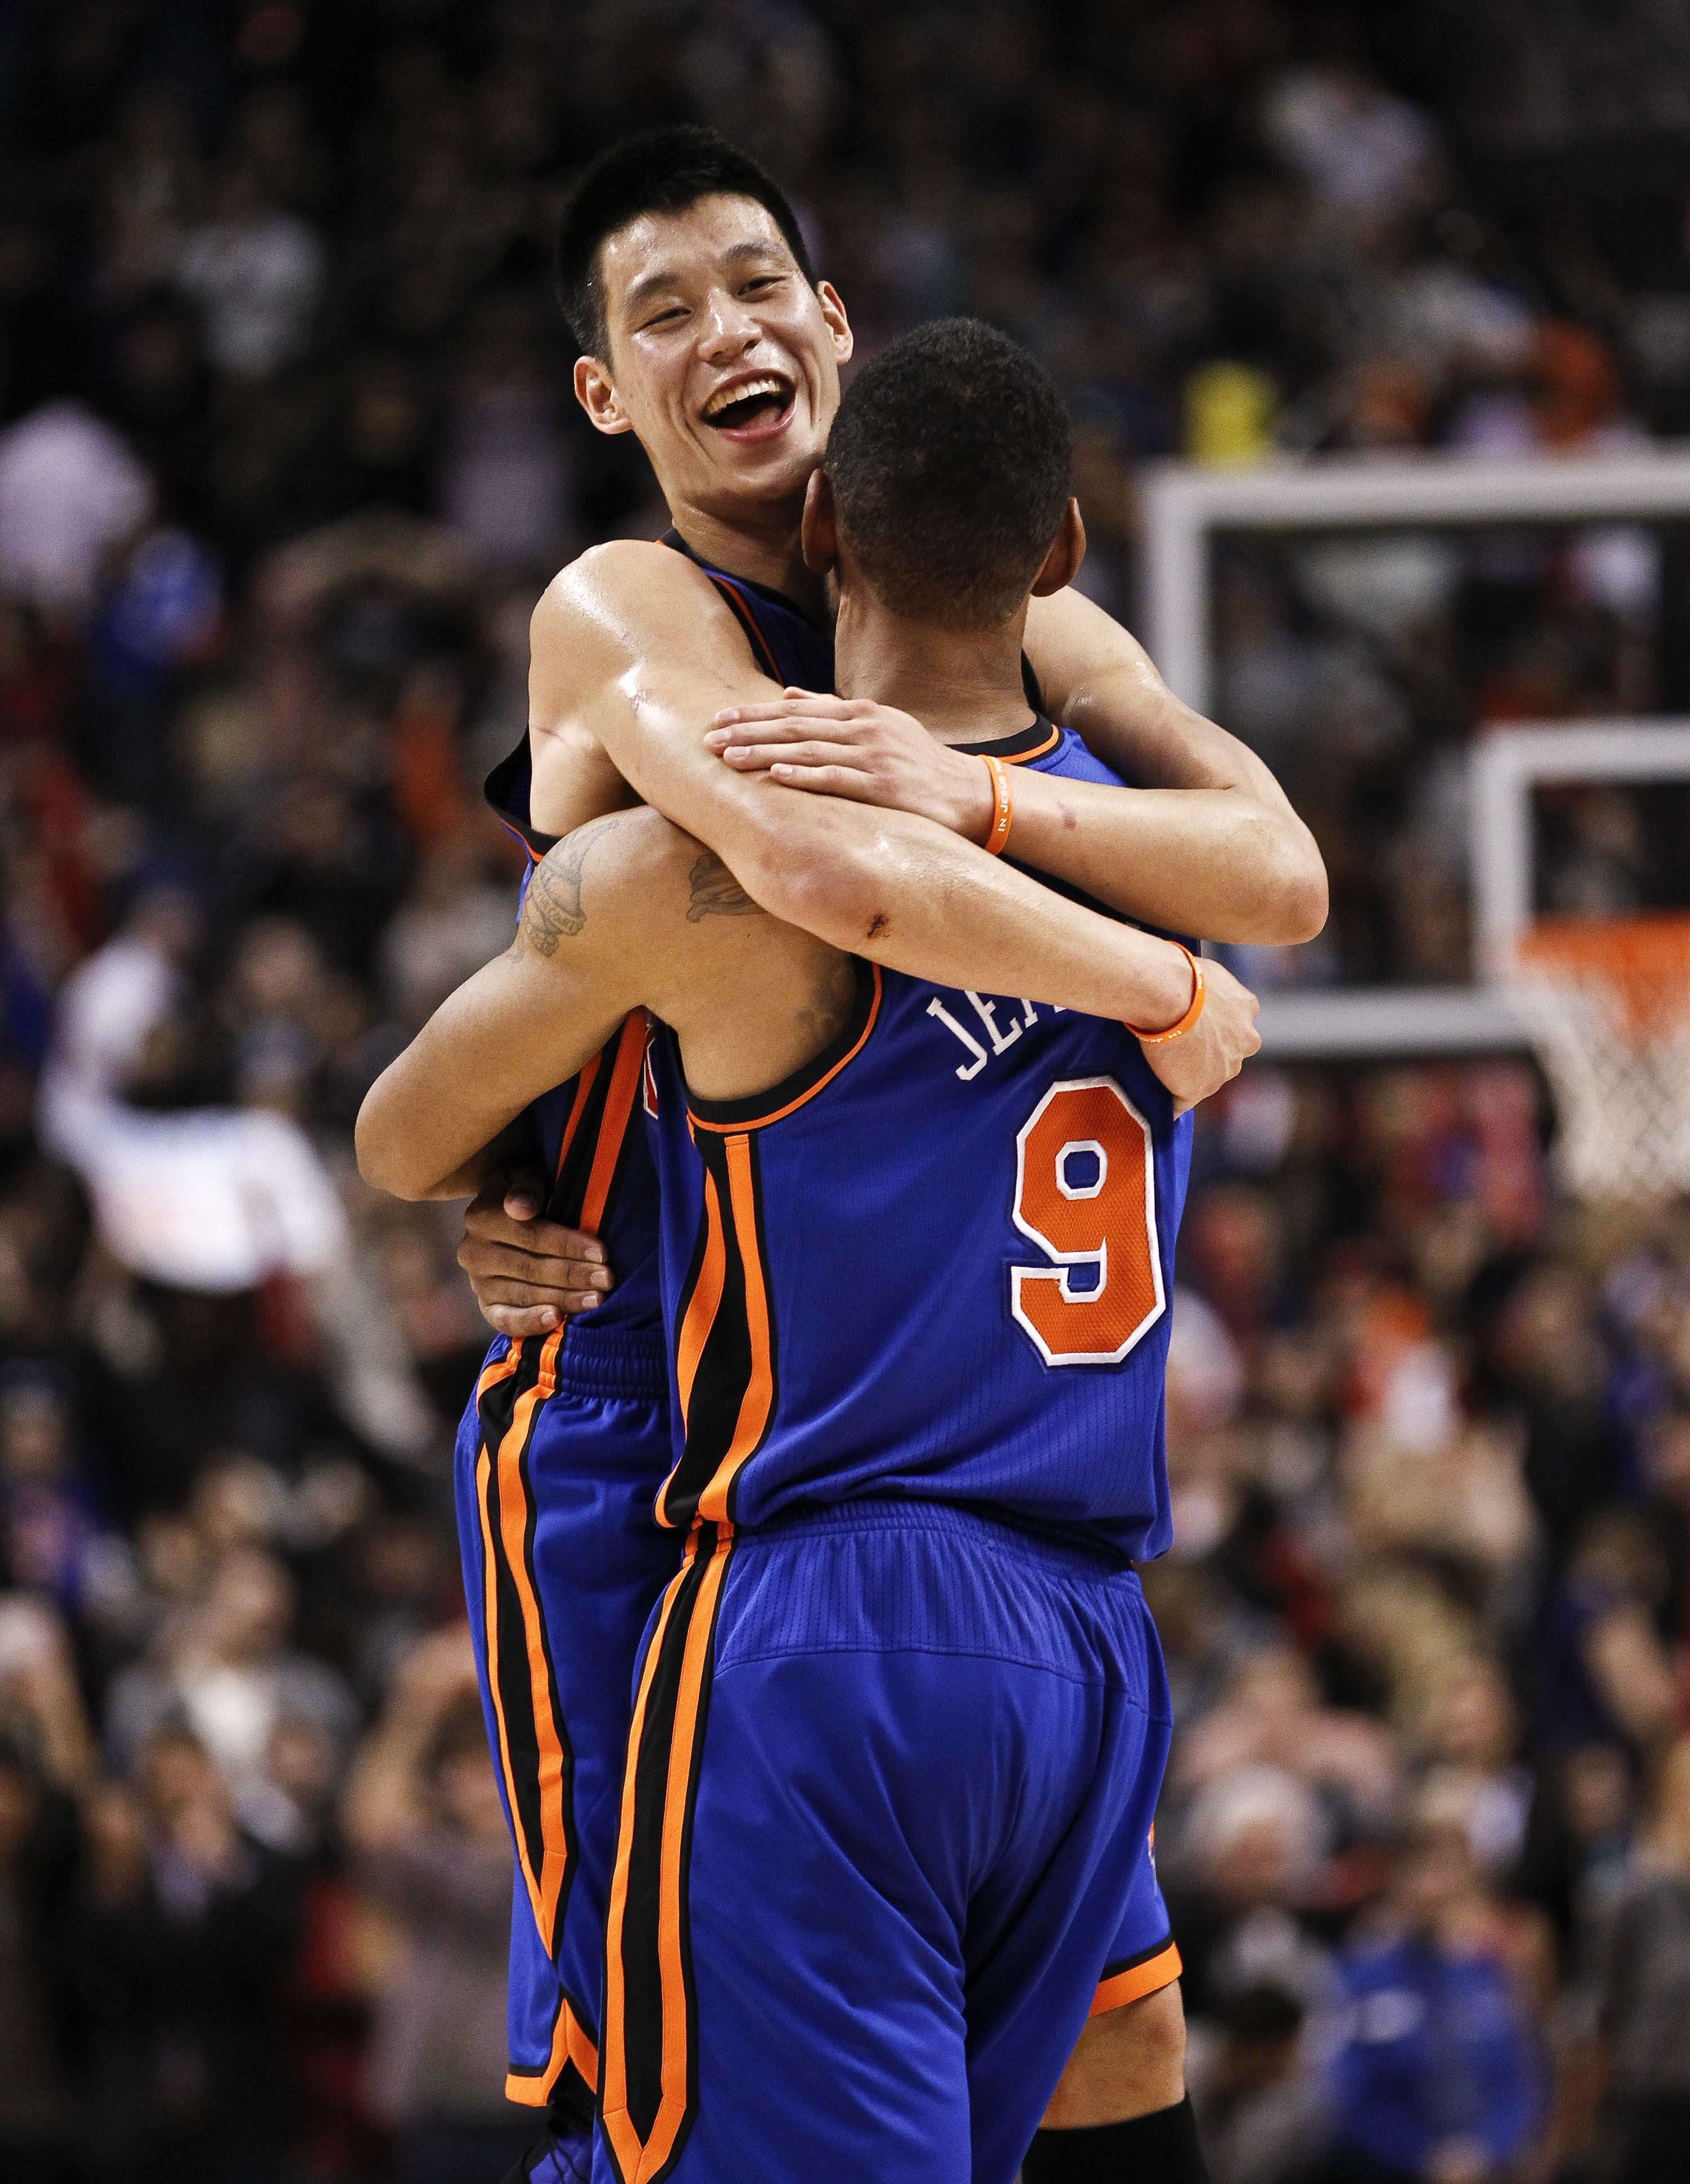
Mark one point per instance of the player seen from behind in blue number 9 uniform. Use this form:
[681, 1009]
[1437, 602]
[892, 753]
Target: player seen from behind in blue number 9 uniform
[866, 1921]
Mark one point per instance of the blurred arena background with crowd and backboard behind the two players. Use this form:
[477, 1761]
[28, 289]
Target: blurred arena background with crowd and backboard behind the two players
[287, 458]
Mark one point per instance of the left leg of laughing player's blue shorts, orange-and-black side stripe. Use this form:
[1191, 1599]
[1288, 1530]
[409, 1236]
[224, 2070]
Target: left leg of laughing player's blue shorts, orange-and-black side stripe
[558, 1467]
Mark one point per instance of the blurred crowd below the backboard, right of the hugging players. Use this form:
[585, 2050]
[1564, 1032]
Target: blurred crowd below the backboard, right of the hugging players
[1425, 1831]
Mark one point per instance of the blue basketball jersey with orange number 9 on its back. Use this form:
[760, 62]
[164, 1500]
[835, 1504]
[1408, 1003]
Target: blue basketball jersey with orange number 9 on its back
[933, 1263]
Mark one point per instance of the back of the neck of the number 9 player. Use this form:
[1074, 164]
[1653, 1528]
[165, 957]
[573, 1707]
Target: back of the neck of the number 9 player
[964, 685]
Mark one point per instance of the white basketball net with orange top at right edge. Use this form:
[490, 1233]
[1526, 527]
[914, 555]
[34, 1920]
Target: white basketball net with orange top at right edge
[1608, 1008]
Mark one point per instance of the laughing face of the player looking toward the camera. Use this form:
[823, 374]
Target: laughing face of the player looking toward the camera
[722, 357]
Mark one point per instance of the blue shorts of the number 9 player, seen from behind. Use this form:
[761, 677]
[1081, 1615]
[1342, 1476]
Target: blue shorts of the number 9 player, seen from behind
[885, 1838]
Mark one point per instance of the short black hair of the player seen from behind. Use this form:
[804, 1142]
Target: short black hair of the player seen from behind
[951, 464]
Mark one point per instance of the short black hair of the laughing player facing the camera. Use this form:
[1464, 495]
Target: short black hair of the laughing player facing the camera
[656, 171]
